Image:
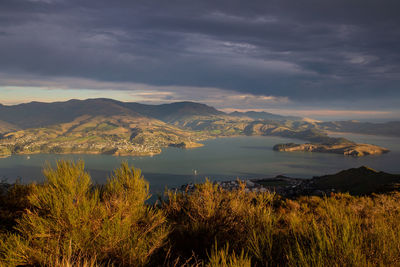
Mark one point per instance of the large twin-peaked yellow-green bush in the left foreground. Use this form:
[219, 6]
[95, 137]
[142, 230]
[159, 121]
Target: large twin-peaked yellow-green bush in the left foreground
[70, 219]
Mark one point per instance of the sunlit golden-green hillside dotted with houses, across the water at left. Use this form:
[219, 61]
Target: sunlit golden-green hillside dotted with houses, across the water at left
[117, 135]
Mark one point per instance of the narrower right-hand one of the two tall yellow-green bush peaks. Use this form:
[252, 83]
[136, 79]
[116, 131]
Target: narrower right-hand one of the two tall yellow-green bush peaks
[132, 230]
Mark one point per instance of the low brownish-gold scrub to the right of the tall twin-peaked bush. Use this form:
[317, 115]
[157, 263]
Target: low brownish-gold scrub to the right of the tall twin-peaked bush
[339, 230]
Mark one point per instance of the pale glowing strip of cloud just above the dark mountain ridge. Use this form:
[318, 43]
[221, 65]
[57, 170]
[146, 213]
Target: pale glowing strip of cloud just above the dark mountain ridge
[18, 91]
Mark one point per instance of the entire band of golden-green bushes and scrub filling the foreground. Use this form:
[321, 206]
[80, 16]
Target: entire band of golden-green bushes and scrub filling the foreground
[66, 221]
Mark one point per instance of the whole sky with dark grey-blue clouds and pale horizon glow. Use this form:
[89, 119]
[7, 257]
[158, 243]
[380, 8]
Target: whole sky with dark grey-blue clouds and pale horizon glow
[316, 58]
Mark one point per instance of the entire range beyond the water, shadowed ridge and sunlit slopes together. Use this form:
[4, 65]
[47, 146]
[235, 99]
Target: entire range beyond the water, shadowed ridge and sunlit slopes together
[127, 128]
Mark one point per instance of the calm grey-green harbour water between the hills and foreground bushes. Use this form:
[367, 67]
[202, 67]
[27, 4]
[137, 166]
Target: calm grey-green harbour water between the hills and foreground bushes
[219, 159]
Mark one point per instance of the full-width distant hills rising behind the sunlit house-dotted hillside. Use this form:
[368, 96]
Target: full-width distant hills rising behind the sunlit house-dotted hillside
[186, 115]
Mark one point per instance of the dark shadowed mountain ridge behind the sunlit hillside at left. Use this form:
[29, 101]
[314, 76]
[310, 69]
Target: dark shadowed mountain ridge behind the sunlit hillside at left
[40, 114]
